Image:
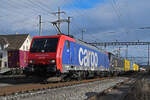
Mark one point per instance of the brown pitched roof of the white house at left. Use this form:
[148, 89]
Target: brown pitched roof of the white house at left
[15, 41]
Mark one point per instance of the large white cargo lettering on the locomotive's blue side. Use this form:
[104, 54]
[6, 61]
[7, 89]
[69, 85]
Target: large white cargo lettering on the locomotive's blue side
[88, 58]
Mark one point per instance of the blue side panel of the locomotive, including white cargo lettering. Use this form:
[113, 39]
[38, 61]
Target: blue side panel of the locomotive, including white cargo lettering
[79, 55]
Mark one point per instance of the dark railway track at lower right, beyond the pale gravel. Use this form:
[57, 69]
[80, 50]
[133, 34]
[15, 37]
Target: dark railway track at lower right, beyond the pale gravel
[118, 91]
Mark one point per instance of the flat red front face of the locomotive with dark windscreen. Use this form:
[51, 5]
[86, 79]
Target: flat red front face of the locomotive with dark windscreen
[42, 56]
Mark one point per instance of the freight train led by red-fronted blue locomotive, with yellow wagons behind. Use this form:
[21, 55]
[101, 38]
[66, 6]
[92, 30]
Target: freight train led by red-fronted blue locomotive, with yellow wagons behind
[62, 55]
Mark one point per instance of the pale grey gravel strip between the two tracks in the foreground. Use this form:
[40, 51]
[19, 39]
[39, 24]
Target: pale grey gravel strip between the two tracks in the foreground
[75, 92]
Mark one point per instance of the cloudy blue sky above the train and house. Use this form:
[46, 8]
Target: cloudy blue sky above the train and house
[102, 20]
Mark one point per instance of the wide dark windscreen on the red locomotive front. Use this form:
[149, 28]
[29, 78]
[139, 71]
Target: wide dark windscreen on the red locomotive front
[44, 45]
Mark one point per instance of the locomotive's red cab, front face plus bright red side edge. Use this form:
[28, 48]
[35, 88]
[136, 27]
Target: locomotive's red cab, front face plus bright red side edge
[45, 55]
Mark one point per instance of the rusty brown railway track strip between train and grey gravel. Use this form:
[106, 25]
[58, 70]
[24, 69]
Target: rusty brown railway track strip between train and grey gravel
[16, 89]
